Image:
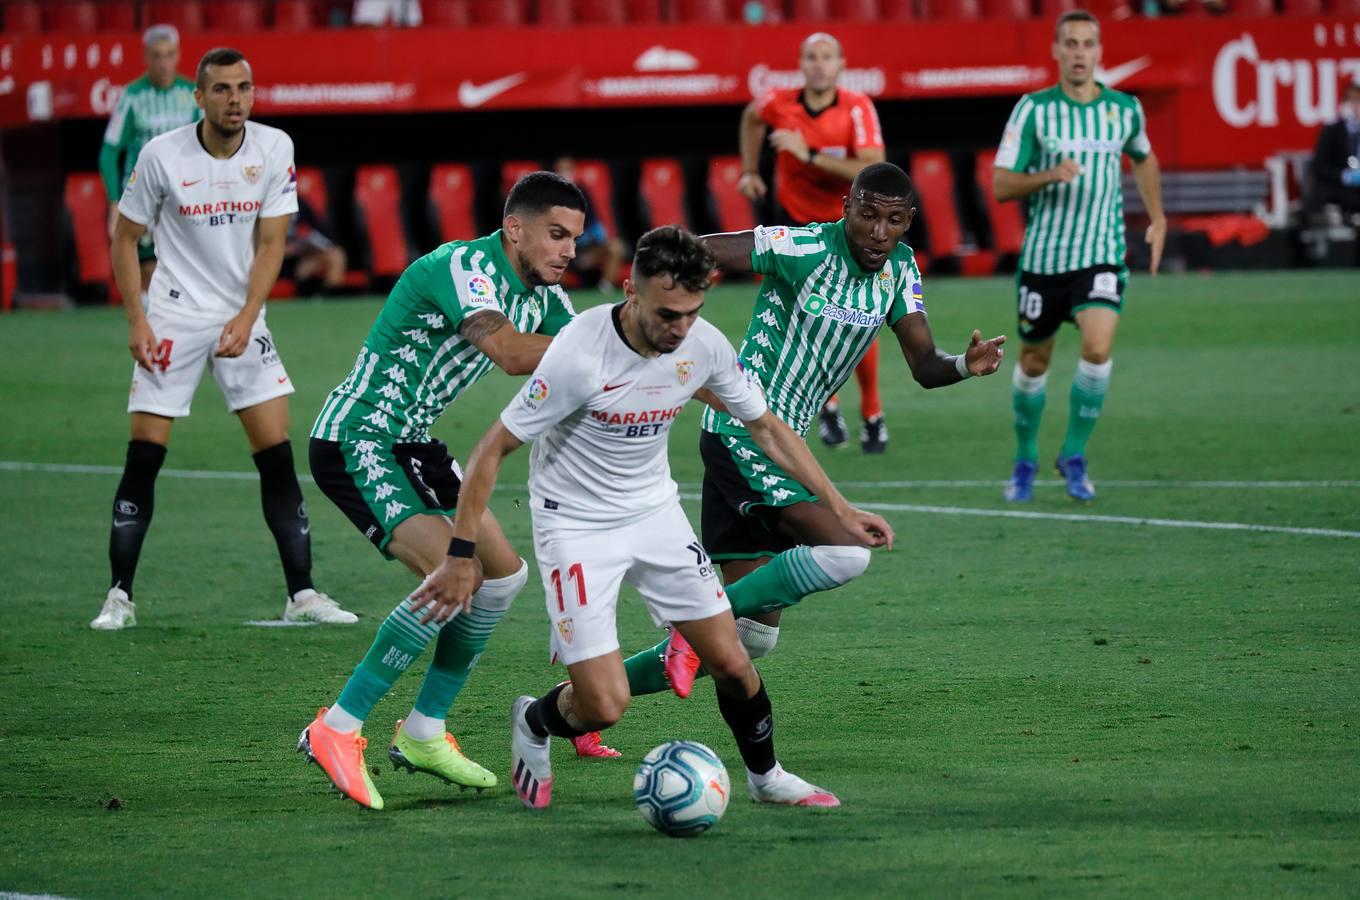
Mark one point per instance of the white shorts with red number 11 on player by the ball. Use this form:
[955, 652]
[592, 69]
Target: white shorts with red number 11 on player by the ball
[583, 573]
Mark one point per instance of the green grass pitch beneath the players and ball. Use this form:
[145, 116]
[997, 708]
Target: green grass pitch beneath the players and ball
[1007, 706]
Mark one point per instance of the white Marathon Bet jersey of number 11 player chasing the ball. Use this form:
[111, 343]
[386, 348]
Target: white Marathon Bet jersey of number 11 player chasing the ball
[599, 417]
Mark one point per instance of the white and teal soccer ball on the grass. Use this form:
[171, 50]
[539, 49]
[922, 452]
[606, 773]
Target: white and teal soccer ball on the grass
[682, 789]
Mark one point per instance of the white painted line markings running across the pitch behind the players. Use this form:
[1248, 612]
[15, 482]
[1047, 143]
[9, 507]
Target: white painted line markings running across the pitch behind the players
[885, 508]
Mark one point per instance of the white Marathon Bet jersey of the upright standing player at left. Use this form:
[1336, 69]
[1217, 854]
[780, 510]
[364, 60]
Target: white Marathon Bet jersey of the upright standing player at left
[203, 213]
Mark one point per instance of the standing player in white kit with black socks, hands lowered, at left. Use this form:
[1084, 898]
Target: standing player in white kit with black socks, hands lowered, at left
[221, 195]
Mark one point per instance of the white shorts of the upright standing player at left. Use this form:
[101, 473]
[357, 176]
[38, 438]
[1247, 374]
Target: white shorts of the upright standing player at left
[186, 349]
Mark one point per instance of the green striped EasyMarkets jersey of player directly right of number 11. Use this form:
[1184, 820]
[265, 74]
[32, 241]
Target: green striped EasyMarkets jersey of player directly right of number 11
[815, 319]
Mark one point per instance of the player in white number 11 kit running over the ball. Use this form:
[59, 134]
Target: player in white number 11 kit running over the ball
[606, 510]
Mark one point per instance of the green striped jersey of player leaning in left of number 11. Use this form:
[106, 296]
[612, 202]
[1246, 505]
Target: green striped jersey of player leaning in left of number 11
[414, 362]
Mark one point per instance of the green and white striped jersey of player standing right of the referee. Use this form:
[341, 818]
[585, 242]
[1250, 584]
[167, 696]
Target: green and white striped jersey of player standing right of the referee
[1075, 226]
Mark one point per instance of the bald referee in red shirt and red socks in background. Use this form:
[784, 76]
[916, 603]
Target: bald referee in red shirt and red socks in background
[822, 137]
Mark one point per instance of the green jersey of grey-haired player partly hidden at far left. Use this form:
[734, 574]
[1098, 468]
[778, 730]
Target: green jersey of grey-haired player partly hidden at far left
[142, 114]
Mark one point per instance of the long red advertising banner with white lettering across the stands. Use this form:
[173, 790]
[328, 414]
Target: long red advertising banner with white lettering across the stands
[1219, 92]
